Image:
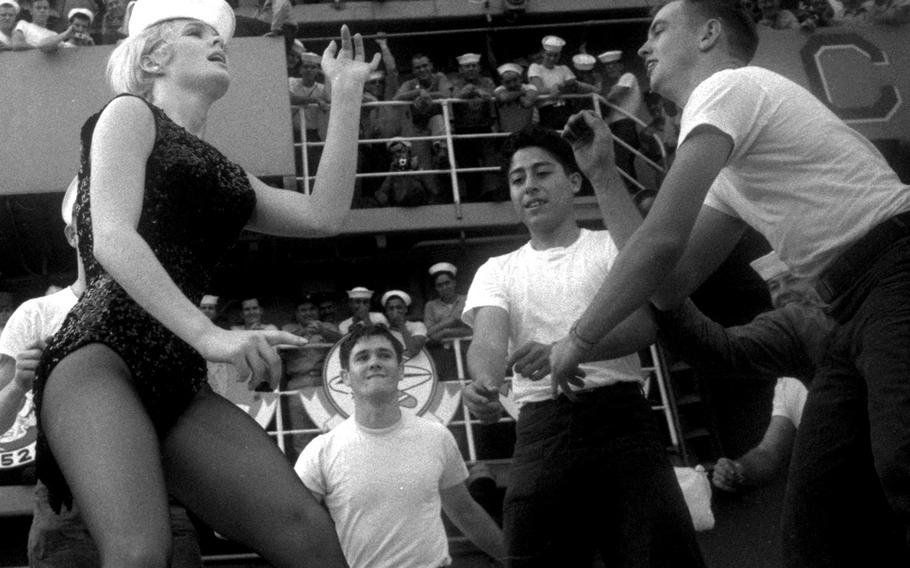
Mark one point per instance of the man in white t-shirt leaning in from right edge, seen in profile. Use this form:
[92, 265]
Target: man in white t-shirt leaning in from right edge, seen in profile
[756, 149]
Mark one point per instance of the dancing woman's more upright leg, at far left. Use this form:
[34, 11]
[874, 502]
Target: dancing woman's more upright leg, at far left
[108, 451]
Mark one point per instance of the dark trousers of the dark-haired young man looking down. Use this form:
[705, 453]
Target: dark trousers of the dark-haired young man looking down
[593, 476]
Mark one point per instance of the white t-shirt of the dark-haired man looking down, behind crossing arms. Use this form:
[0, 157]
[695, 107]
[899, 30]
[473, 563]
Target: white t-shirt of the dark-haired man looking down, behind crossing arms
[544, 292]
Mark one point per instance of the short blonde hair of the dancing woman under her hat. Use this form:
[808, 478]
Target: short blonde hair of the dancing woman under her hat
[125, 73]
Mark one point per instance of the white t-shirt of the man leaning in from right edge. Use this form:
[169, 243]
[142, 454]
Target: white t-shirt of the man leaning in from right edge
[798, 174]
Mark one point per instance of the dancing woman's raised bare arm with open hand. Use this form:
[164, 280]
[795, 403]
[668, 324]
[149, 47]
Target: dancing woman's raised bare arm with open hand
[292, 214]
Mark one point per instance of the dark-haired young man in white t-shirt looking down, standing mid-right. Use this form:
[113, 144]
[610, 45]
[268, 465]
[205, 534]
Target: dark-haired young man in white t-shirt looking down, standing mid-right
[589, 475]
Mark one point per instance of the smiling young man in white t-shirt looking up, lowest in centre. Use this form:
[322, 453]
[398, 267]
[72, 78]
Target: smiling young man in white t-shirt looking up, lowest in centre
[385, 475]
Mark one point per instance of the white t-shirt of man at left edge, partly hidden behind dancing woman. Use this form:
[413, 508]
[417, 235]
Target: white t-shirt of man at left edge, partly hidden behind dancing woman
[37, 318]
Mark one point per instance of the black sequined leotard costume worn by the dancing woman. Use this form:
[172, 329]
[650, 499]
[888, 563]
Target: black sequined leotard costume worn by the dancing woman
[196, 203]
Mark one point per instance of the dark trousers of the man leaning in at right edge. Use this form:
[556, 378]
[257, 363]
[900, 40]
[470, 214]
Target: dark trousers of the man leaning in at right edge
[848, 493]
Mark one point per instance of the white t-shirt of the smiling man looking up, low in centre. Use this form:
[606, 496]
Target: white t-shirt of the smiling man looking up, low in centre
[382, 489]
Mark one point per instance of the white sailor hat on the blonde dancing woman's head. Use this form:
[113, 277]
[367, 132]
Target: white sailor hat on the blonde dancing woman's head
[217, 13]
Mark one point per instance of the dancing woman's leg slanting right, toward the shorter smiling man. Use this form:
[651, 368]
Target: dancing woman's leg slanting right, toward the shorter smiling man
[222, 465]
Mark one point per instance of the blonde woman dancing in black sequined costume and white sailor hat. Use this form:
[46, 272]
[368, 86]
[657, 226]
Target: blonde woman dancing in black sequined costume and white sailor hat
[125, 414]
